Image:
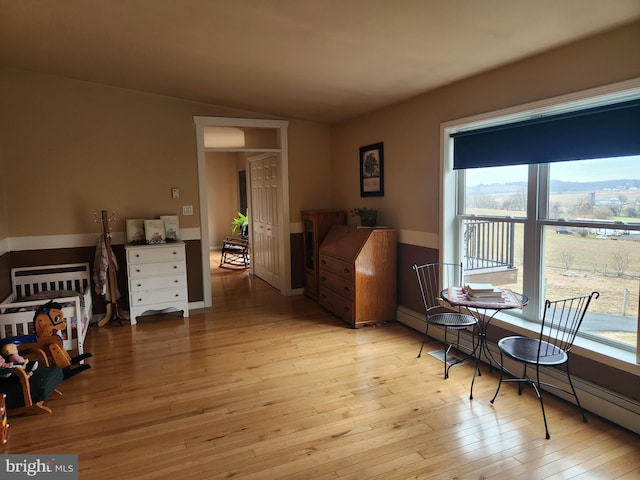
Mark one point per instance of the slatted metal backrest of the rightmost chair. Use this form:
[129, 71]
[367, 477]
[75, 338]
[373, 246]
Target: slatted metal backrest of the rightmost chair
[561, 321]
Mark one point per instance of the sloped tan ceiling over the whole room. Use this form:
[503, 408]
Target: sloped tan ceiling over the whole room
[320, 60]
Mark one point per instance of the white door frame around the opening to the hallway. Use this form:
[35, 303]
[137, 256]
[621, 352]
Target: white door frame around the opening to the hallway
[285, 250]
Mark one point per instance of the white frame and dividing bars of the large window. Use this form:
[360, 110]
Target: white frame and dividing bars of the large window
[453, 194]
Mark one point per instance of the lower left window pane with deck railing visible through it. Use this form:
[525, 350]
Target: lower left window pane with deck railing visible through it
[493, 253]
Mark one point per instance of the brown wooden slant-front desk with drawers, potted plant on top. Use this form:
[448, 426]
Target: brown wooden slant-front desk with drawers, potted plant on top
[357, 274]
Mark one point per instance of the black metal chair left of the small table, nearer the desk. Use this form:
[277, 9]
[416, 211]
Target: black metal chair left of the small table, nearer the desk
[429, 276]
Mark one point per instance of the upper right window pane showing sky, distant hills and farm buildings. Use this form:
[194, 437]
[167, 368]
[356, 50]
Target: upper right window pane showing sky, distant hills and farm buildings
[605, 189]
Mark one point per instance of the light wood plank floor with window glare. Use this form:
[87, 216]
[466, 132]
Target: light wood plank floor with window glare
[267, 387]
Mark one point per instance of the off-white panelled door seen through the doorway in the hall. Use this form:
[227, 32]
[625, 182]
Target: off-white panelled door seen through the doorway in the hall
[266, 218]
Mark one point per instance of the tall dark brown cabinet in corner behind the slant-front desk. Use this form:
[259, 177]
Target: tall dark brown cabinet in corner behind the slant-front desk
[316, 225]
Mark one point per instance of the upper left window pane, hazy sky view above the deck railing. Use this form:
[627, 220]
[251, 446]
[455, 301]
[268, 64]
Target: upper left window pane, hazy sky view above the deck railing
[496, 191]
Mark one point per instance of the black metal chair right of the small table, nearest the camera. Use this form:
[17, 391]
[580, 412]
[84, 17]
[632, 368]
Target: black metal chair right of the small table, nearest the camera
[560, 323]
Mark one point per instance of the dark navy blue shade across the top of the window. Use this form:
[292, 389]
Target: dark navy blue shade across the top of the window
[599, 132]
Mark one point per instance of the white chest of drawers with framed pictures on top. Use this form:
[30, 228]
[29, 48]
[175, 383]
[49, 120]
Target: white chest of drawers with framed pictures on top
[157, 278]
